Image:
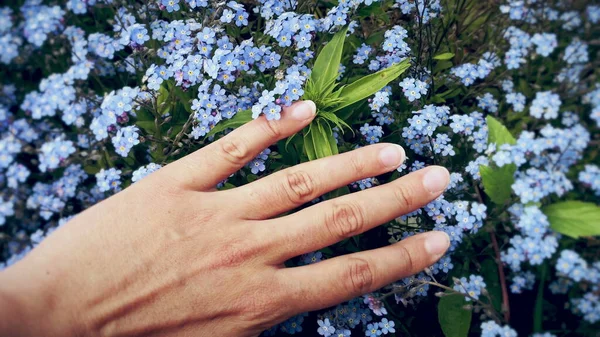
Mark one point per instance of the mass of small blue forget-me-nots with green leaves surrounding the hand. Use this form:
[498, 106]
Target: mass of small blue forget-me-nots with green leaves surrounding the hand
[97, 94]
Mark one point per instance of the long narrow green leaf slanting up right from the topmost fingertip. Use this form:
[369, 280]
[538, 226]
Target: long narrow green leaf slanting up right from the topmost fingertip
[369, 84]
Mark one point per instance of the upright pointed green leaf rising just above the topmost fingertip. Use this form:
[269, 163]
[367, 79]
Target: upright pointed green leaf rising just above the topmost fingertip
[327, 64]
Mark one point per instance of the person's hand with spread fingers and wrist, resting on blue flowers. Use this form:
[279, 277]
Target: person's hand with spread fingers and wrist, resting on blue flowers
[172, 256]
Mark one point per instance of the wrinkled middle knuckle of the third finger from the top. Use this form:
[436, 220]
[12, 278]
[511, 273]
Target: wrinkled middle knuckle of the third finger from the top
[346, 220]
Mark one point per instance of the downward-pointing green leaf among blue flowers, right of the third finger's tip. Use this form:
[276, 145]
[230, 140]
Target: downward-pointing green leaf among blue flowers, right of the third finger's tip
[497, 182]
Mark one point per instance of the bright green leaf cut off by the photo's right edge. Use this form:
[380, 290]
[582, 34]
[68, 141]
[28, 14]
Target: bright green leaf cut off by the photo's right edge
[574, 218]
